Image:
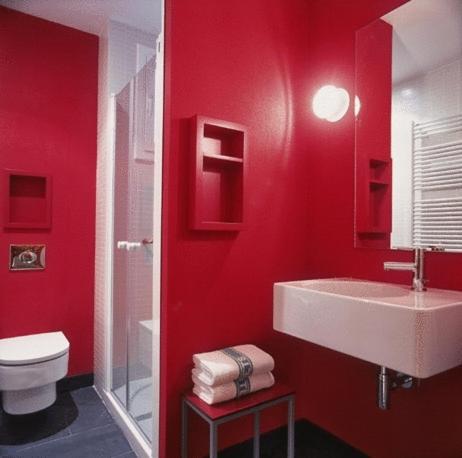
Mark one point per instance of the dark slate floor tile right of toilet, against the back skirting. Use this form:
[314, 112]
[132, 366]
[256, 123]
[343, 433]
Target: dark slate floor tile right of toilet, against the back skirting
[91, 411]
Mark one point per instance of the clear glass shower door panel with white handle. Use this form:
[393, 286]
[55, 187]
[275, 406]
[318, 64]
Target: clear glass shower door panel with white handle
[132, 375]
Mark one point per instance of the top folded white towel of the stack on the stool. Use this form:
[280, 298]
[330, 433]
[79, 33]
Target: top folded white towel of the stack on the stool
[224, 366]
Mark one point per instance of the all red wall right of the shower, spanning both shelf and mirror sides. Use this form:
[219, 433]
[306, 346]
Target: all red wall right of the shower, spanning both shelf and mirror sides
[259, 63]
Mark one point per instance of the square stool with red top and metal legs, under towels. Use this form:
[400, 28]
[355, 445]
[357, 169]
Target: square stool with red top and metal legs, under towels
[218, 414]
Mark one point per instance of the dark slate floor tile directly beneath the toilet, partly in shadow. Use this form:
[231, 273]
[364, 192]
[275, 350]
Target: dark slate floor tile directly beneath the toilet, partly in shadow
[22, 431]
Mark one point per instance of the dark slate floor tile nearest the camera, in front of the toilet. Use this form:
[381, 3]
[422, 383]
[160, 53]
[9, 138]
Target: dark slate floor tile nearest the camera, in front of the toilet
[104, 442]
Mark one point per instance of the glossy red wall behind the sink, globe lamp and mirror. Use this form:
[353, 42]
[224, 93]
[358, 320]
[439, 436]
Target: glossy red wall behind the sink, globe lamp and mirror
[338, 391]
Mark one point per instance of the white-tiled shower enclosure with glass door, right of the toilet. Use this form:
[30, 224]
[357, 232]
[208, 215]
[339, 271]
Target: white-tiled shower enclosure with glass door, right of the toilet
[129, 378]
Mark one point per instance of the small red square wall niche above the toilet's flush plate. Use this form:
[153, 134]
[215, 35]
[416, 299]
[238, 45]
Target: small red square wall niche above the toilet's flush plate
[28, 200]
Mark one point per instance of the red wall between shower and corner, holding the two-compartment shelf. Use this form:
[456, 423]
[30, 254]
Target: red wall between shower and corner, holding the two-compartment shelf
[242, 62]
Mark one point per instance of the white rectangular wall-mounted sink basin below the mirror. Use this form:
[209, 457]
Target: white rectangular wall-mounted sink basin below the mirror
[417, 333]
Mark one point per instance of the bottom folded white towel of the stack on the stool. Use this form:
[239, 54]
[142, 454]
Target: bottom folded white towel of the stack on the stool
[236, 389]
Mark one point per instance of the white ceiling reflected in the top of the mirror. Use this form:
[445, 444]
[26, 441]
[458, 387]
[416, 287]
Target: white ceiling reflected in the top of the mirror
[427, 34]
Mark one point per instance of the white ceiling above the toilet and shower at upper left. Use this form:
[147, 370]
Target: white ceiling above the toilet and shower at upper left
[91, 15]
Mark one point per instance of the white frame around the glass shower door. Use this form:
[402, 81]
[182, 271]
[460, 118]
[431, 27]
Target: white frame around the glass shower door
[132, 432]
